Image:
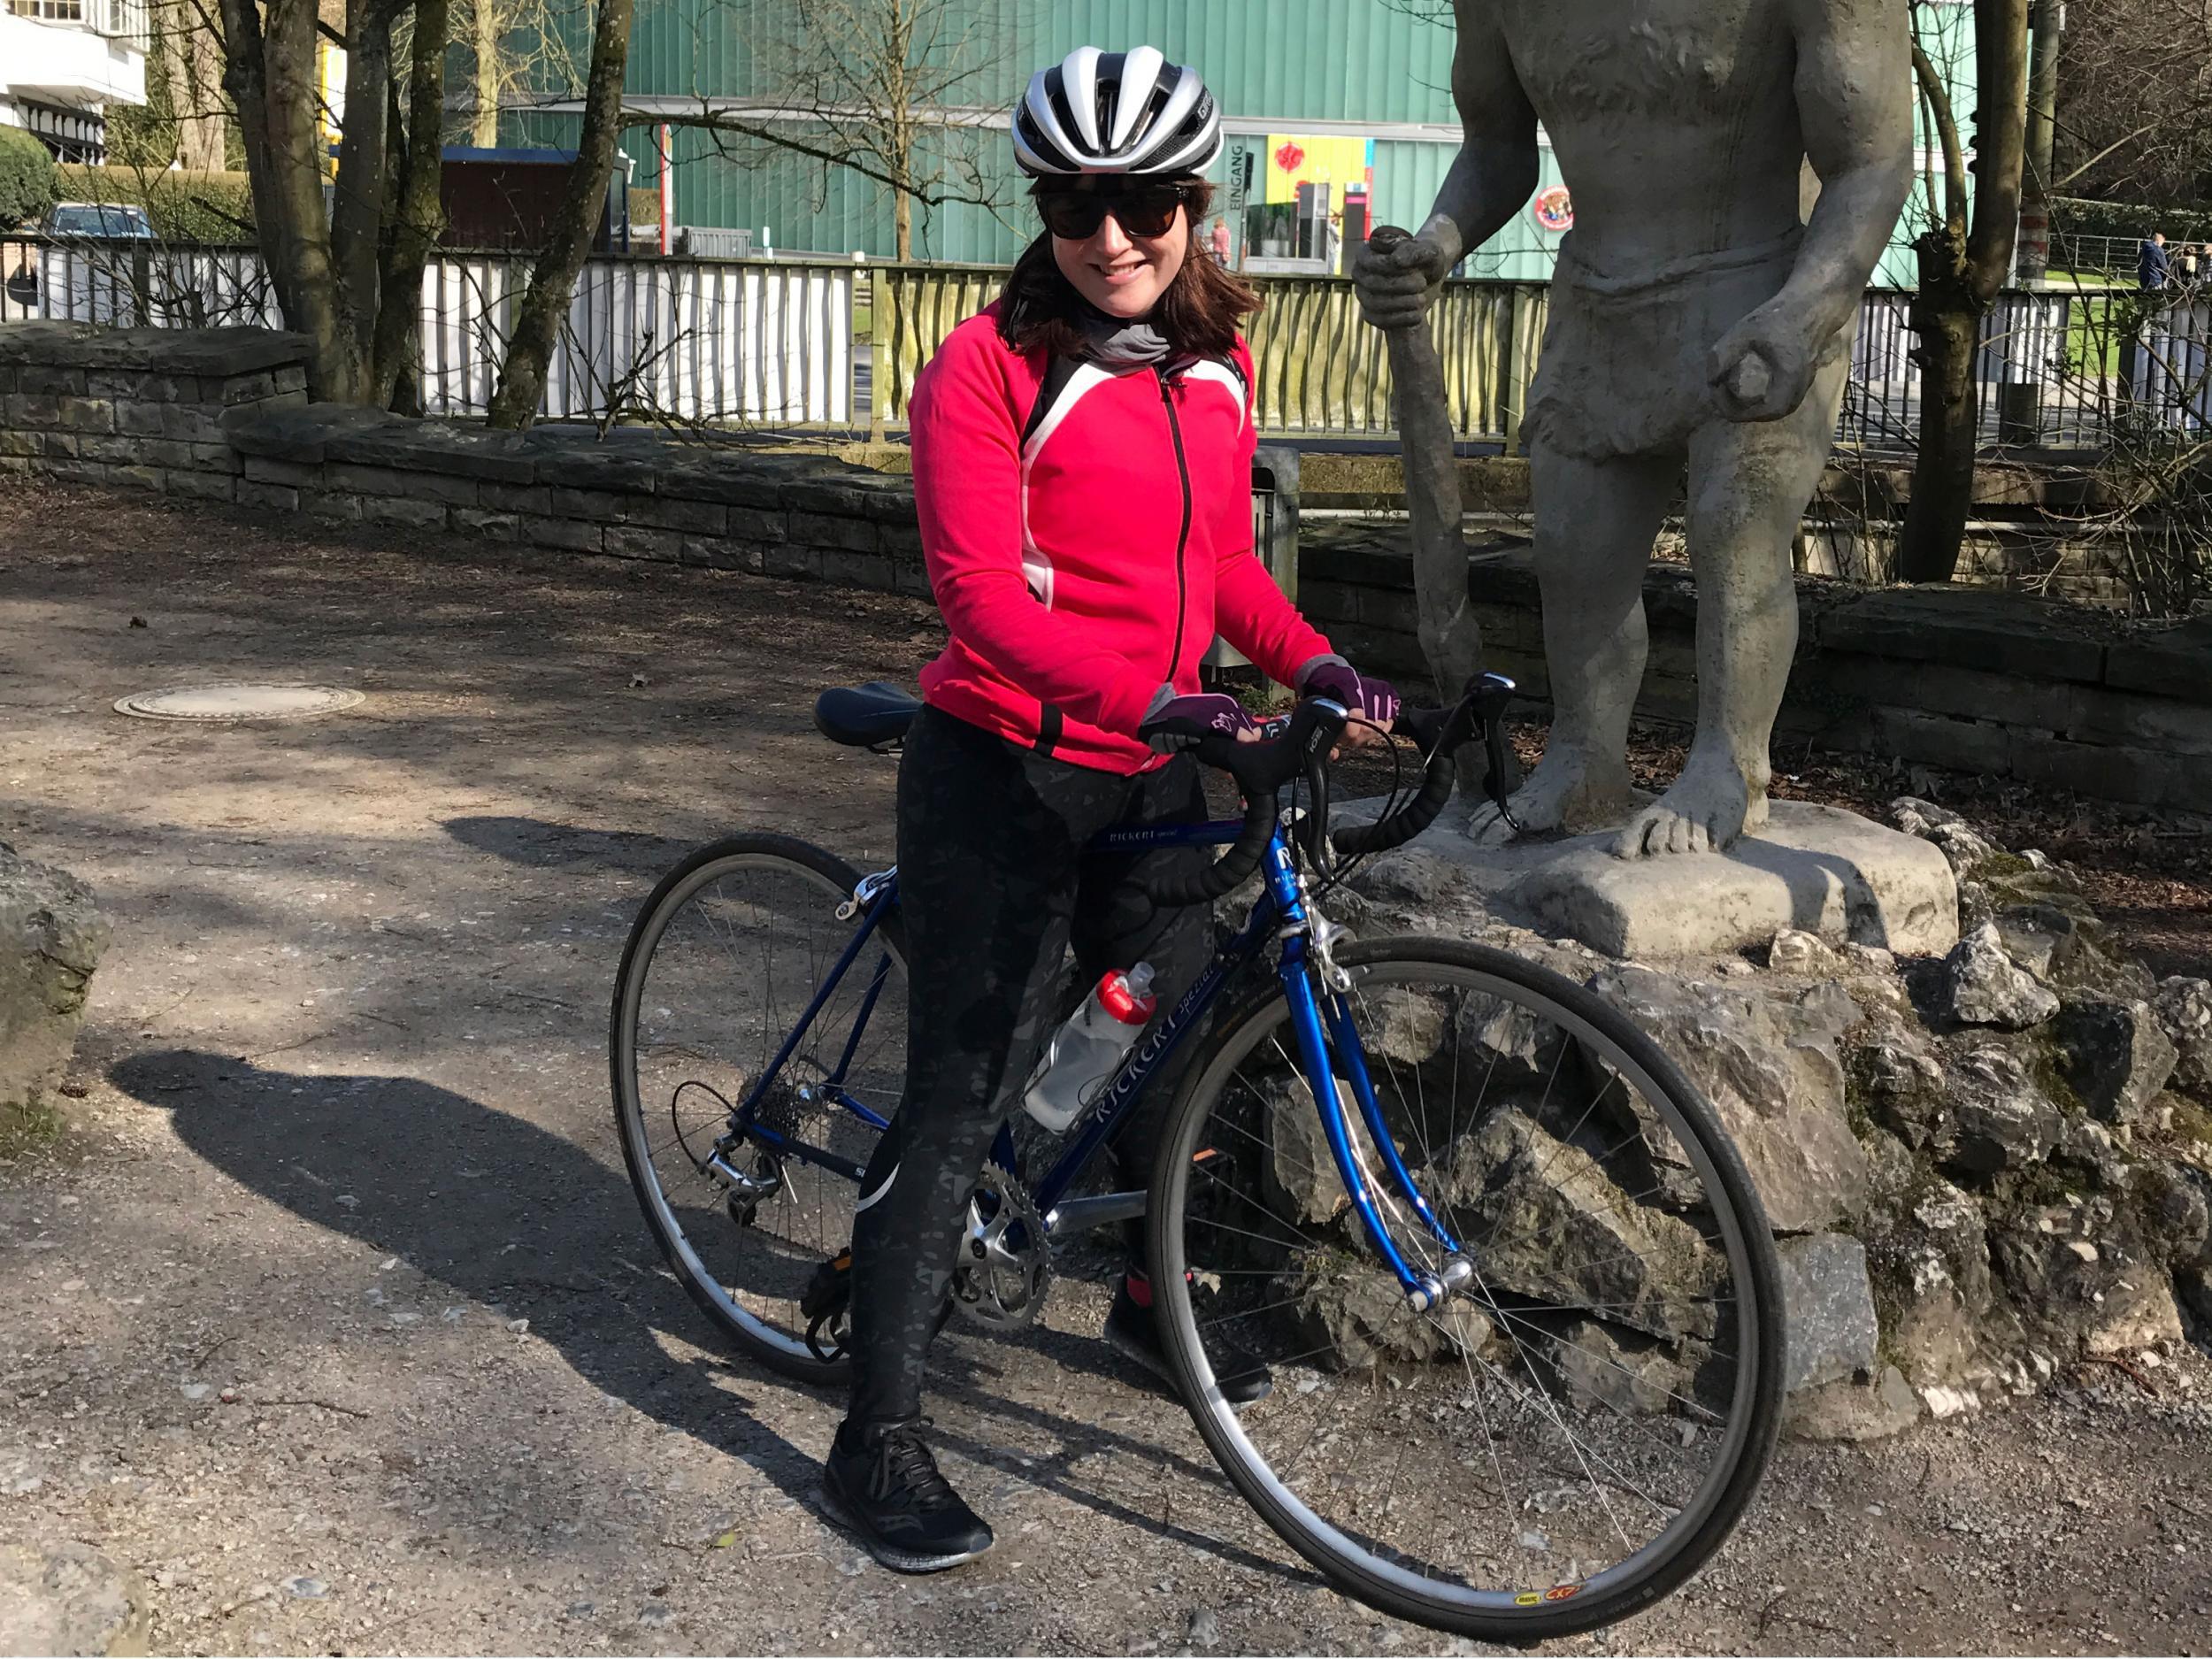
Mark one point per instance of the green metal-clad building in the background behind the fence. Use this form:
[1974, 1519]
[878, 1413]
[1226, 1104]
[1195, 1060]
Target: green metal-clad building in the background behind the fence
[1297, 81]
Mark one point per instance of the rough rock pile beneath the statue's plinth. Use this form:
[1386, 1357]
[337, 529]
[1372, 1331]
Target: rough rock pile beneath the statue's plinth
[1981, 1167]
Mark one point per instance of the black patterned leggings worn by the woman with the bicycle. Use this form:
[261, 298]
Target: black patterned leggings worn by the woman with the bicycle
[994, 888]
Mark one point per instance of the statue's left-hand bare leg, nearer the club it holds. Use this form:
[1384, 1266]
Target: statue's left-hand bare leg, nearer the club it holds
[1594, 539]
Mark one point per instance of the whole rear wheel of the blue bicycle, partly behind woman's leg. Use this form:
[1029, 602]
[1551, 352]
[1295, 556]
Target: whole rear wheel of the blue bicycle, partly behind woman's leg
[724, 961]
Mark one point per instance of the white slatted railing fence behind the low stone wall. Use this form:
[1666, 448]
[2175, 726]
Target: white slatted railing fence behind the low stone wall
[773, 342]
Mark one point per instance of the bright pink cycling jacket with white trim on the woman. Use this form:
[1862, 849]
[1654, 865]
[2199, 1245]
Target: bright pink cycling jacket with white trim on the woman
[1087, 536]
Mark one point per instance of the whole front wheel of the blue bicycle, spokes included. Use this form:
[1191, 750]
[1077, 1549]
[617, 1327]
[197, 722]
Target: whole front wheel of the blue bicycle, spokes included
[1572, 1434]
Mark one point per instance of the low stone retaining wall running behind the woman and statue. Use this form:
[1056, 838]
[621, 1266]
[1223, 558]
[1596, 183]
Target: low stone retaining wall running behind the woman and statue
[1970, 680]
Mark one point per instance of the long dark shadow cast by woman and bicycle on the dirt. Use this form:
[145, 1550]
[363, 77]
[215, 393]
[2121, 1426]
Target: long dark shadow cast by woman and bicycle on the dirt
[452, 1185]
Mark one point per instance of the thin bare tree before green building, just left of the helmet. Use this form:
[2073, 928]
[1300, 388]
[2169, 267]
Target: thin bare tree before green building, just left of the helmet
[877, 87]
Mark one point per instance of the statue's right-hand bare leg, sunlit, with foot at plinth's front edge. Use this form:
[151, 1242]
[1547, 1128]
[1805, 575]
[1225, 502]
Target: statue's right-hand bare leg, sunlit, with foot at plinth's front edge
[1749, 490]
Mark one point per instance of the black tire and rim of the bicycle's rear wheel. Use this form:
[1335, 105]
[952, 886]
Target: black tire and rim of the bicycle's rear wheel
[835, 879]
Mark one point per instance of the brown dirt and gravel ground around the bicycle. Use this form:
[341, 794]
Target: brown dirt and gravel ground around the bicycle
[337, 1322]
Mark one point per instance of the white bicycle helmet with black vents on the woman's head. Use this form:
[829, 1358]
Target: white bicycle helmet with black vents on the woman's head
[1118, 112]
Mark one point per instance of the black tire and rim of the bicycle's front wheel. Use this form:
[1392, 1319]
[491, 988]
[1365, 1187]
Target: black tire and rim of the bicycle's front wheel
[1760, 1361]
